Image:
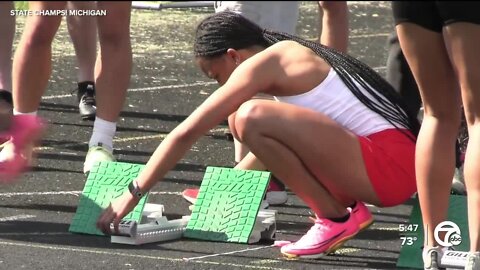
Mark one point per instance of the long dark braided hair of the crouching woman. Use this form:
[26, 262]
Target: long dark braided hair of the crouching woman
[221, 31]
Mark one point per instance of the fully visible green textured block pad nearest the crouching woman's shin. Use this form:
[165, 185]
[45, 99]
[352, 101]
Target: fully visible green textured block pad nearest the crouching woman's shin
[227, 205]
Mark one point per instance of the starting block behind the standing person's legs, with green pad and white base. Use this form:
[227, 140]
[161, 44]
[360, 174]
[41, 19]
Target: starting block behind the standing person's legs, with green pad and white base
[411, 252]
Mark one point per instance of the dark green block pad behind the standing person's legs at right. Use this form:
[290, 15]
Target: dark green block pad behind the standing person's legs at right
[411, 255]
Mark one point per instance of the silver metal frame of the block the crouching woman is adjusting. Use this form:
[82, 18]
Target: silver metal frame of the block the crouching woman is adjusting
[159, 229]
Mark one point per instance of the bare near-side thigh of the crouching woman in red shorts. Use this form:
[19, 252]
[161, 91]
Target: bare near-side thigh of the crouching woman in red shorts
[328, 150]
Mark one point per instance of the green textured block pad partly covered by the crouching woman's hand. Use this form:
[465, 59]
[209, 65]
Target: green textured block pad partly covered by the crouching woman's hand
[106, 181]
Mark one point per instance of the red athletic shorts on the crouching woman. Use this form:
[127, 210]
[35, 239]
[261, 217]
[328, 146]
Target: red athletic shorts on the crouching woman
[389, 157]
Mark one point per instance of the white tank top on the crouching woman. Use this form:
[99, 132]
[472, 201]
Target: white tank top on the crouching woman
[333, 98]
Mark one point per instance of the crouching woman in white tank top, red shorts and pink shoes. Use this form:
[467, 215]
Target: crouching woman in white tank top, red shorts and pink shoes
[339, 136]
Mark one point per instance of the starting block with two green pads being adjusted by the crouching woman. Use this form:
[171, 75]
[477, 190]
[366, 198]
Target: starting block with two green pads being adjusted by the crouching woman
[227, 207]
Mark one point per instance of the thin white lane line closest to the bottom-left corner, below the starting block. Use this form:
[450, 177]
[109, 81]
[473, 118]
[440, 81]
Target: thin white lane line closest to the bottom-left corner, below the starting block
[121, 254]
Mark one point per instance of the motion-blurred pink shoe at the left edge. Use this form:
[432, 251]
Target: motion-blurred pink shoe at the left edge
[25, 130]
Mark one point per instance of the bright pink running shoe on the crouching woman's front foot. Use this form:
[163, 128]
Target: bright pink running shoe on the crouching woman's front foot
[324, 237]
